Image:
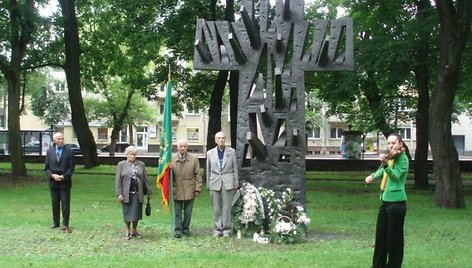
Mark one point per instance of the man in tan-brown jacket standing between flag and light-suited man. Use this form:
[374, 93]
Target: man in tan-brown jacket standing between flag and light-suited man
[187, 184]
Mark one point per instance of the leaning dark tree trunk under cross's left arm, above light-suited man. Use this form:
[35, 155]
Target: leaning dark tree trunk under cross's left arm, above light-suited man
[214, 112]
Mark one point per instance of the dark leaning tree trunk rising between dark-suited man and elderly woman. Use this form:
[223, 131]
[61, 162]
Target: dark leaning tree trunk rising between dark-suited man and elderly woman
[72, 69]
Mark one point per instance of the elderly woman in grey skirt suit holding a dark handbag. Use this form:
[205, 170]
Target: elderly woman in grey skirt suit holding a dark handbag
[130, 185]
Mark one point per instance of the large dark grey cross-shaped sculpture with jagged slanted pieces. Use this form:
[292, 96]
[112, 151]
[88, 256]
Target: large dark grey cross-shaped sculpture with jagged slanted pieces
[271, 53]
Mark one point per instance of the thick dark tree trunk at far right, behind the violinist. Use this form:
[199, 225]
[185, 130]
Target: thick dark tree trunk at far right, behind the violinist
[454, 29]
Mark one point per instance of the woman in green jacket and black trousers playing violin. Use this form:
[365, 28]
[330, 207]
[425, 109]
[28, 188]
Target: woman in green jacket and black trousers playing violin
[392, 175]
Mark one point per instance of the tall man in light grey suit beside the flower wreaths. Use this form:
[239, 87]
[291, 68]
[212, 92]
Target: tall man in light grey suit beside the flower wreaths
[222, 180]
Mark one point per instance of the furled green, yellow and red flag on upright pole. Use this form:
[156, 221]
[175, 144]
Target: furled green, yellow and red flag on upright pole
[165, 157]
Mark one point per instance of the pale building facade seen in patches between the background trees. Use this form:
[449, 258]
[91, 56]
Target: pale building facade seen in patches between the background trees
[325, 140]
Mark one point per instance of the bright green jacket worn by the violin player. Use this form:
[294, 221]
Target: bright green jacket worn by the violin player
[396, 180]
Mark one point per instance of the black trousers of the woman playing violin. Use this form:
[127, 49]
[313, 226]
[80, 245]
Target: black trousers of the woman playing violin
[389, 239]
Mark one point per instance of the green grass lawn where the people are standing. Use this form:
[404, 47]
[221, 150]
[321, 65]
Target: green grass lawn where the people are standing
[341, 233]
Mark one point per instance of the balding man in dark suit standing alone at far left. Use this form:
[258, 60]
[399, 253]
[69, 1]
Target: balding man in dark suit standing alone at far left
[59, 168]
